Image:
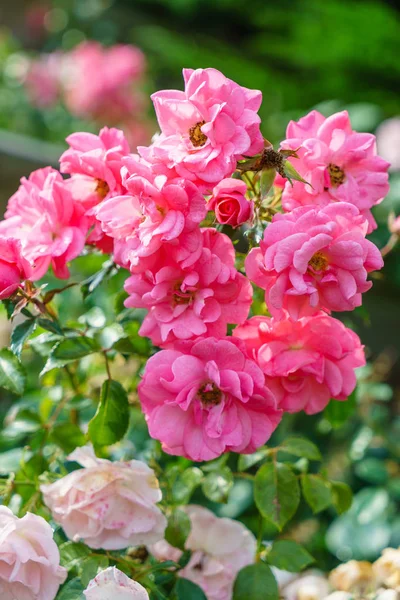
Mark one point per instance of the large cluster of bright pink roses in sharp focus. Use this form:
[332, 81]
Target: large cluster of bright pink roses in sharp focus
[207, 392]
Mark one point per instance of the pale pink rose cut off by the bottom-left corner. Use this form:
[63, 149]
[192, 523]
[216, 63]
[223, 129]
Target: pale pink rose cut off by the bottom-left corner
[29, 558]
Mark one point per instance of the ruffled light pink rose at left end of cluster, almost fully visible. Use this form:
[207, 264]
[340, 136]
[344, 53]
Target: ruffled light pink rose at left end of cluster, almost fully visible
[52, 227]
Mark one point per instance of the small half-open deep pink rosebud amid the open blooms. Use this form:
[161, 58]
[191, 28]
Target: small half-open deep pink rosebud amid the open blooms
[230, 204]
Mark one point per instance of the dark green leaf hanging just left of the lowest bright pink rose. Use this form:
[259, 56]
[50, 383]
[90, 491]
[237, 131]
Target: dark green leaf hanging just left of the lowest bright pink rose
[111, 421]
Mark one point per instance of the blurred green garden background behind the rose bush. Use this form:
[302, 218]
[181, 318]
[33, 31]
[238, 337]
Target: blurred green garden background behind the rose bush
[330, 54]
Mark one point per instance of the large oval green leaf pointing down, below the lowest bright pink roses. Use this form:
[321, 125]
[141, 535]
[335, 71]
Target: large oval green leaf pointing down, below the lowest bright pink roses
[276, 493]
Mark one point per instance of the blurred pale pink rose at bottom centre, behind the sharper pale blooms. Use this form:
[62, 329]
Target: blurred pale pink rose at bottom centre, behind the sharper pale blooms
[220, 549]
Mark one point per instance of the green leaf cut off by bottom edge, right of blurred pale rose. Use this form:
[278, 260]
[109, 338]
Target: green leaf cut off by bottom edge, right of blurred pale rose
[255, 582]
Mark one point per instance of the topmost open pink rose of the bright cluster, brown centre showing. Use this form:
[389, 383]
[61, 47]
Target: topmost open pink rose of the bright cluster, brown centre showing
[207, 128]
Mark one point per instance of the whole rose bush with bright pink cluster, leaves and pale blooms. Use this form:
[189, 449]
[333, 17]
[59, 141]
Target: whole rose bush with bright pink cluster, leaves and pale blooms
[174, 373]
